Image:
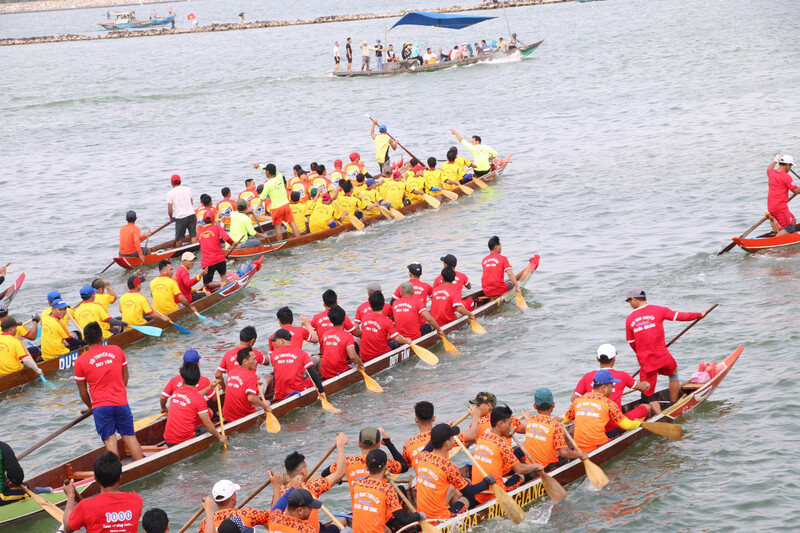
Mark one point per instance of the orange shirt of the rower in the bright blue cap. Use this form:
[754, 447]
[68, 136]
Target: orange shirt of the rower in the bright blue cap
[592, 412]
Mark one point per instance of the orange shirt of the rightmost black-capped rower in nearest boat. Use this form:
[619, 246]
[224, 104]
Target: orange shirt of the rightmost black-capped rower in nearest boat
[434, 477]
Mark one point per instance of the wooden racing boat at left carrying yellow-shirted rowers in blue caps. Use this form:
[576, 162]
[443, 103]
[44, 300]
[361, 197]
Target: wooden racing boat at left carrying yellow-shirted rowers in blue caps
[238, 281]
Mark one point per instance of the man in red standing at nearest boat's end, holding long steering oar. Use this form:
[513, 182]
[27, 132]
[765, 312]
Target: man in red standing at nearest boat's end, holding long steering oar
[644, 329]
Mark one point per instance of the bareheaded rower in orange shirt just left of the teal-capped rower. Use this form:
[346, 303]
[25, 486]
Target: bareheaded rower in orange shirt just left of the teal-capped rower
[496, 456]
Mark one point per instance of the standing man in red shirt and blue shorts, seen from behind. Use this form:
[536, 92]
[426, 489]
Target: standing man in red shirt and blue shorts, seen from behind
[101, 374]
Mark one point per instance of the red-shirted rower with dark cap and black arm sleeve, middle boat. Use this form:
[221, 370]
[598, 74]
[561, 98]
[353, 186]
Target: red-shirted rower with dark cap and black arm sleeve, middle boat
[290, 365]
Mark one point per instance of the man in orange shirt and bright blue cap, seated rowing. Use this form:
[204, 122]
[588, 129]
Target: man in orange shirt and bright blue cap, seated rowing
[593, 411]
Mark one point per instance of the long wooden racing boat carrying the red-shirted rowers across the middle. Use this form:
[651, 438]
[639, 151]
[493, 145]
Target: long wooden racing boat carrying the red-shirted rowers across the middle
[158, 456]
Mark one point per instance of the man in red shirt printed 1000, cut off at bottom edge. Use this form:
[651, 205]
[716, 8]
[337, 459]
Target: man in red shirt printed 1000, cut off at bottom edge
[93, 513]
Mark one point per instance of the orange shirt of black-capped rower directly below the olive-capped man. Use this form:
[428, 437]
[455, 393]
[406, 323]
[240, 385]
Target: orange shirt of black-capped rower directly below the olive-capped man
[374, 503]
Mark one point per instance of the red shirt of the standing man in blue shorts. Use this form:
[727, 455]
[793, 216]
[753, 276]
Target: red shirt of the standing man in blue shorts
[101, 368]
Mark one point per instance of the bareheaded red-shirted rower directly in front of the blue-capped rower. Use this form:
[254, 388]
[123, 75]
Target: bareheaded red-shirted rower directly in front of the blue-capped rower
[188, 410]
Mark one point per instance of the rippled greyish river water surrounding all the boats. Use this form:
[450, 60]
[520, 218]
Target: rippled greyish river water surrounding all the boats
[640, 133]
